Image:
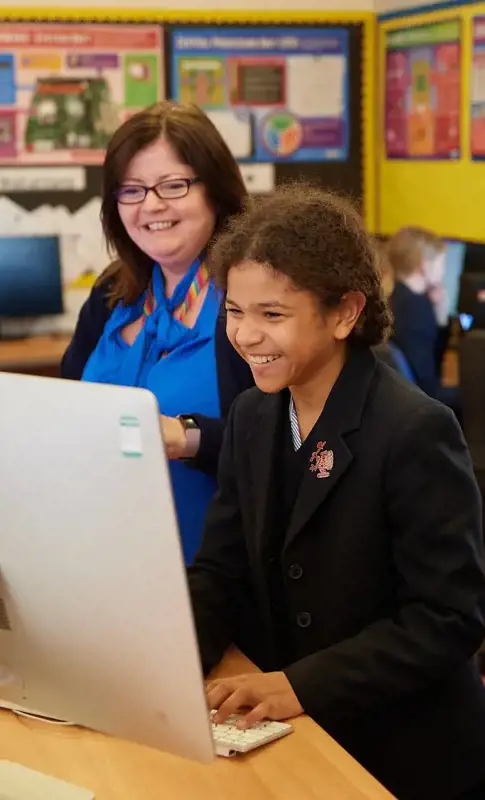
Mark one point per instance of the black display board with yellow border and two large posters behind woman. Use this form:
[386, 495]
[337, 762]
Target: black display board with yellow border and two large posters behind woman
[53, 187]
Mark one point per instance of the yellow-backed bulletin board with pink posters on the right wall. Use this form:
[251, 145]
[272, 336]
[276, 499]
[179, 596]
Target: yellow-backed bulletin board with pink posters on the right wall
[429, 130]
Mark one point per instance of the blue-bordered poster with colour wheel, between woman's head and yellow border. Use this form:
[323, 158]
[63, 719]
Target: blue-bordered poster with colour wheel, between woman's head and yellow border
[275, 94]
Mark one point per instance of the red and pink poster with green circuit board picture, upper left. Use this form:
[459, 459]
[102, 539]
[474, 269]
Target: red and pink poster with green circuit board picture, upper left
[64, 89]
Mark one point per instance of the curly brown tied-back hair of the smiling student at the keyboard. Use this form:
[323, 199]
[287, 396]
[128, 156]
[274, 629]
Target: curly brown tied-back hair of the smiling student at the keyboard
[318, 240]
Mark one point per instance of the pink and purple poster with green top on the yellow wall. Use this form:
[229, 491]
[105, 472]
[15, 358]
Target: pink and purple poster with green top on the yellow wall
[422, 91]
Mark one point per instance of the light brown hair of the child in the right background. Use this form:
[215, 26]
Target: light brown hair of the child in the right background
[407, 249]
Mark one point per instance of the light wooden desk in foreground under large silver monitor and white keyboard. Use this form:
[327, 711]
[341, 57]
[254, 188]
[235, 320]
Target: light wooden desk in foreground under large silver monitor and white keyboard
[306, 765]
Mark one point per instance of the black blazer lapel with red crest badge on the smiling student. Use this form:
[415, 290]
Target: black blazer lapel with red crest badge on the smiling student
[330, 454]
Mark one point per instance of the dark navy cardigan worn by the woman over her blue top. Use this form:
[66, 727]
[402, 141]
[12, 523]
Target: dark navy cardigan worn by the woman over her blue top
[233, 374]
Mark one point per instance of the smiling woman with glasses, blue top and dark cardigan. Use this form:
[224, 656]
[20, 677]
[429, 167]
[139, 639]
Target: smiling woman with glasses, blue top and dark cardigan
[169, 185]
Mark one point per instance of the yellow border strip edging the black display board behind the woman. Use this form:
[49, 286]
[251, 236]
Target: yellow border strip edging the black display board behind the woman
[240, 17]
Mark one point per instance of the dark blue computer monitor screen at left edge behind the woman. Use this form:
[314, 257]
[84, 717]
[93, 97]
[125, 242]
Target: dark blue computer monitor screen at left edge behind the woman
[30, 276]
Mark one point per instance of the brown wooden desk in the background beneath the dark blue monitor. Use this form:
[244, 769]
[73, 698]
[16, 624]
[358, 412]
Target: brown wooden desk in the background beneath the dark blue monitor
[39, 355]
